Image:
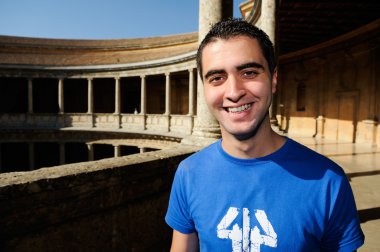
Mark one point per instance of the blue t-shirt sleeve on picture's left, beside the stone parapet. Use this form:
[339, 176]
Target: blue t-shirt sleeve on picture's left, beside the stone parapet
[178, 214]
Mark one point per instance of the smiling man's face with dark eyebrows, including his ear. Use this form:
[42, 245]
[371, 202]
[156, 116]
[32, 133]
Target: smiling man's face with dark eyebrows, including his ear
[238, 86]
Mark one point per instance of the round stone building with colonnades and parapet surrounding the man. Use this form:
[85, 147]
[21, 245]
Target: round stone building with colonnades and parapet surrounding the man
[146, 93]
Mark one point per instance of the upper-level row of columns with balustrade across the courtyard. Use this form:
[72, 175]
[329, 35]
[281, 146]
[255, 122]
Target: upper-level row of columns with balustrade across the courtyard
[135, 120]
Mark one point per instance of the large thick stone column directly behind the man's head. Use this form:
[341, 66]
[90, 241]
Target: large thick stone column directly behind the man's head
[206, 129]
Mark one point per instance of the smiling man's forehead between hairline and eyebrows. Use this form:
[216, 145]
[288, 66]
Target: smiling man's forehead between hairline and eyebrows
[233, 51]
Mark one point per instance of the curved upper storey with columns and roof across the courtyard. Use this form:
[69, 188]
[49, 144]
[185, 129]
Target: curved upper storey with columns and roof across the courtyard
[133, 85]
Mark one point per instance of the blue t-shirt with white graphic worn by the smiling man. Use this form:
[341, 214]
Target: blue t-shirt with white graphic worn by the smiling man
[292, 200]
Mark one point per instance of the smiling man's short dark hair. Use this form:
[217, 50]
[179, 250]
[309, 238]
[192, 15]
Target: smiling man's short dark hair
[234, 27]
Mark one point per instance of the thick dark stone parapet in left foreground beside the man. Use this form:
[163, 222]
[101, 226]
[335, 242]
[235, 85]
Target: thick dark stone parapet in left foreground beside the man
[115, 204]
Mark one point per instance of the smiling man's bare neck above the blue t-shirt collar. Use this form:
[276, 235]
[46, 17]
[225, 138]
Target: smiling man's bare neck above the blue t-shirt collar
[264, 142]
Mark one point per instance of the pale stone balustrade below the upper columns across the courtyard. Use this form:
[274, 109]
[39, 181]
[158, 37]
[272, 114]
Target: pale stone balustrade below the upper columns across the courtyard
[181, 124]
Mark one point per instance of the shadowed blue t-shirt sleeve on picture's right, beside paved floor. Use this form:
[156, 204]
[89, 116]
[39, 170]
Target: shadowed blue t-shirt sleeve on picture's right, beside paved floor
[343, 232]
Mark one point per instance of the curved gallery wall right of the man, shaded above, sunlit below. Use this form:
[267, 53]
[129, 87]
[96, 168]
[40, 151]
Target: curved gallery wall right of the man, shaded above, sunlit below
[330, 90]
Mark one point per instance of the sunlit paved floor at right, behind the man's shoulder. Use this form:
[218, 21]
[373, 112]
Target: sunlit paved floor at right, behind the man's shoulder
[362, 166]
